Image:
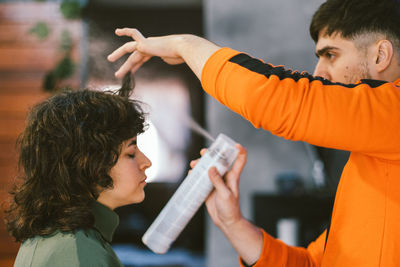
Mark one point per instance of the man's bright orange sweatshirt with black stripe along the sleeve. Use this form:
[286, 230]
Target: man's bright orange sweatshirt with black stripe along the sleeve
[363, 118]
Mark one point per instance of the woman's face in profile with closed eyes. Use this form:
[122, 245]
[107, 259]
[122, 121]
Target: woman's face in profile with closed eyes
[128, 176]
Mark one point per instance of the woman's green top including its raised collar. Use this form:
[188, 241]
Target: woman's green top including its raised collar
[80, 248]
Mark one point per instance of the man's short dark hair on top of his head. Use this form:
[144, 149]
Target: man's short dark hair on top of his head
[351, 18]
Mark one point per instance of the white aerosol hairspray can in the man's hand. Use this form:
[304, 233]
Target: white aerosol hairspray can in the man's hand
[190, 195]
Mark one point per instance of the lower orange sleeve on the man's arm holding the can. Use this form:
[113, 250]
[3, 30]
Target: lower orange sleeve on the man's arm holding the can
[276, 253]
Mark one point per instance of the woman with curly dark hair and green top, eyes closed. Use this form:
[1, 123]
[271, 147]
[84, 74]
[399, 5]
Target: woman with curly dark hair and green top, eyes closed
[80, 161]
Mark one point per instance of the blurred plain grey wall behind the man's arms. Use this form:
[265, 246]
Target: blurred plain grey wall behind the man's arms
[277, 32]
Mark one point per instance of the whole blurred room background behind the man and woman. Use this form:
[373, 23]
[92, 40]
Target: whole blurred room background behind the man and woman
[274, 31]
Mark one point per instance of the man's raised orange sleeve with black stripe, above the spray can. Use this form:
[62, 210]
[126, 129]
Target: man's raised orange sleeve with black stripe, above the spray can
[361, 117]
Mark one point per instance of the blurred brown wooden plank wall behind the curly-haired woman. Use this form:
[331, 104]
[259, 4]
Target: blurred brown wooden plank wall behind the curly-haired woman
[24, 61]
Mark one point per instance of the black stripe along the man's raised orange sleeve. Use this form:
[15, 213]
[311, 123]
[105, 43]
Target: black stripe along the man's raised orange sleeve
[267, 70]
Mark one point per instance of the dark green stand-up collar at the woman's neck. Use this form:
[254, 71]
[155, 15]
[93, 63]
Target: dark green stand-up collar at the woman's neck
[106, 220]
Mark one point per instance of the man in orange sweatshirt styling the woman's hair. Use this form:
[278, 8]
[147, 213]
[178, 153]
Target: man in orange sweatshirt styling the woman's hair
[352, 102]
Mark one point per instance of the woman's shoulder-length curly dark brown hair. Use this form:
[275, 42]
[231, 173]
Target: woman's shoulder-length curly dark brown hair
[70, 143]
